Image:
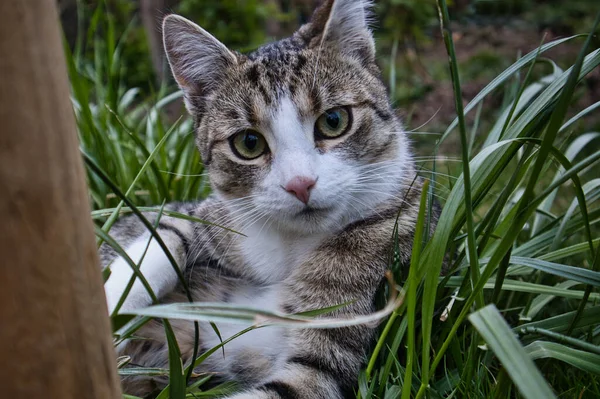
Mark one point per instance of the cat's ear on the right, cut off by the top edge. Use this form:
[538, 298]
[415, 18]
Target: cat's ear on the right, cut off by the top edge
[344, 24]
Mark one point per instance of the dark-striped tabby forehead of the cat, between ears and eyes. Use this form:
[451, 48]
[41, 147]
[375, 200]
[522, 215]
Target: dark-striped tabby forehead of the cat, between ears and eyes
[314, 80]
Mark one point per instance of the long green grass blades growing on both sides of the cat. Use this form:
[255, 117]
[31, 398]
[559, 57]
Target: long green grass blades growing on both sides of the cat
[519, 312]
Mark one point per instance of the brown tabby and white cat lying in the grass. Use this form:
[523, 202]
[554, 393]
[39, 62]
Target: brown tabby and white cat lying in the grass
[307, 158]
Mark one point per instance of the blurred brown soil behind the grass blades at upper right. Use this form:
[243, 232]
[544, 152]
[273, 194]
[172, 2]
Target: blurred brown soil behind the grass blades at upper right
[436, 107]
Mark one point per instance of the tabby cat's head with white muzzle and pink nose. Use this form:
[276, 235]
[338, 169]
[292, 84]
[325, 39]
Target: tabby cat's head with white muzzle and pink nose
[299, 132]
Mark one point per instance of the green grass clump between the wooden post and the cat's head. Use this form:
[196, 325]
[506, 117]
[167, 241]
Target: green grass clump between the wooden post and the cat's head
[149, 157]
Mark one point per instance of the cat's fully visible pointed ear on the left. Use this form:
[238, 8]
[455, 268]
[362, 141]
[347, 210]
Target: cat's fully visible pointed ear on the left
[197, 59]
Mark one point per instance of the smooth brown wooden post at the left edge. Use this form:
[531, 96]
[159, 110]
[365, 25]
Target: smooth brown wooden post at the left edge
[54, 329]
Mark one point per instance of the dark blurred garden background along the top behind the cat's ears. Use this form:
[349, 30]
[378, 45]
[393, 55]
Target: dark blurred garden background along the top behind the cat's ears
[489, 36]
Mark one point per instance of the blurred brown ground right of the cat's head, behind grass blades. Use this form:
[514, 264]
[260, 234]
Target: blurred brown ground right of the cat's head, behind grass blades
[483, 51]
